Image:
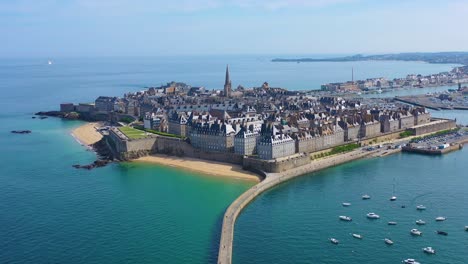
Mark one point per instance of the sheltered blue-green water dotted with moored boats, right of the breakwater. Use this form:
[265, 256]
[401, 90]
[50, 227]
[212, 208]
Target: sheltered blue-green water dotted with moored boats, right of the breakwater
[292, 223]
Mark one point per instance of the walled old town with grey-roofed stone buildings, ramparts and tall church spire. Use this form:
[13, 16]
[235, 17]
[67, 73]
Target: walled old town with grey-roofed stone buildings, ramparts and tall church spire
[264, 129]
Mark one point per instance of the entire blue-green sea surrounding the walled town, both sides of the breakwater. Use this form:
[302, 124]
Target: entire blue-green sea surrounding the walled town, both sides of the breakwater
[51, 212]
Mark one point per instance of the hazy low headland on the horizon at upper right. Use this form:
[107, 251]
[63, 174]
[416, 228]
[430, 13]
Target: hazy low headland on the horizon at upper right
[439, 58]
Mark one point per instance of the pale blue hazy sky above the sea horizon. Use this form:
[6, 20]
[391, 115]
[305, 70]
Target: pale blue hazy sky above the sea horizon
[51, 28]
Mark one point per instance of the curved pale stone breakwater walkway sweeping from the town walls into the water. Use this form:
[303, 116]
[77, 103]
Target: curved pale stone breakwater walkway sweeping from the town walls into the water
[273, 179]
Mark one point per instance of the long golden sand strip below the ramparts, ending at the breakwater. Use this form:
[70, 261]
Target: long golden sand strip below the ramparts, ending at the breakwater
[202, 166]
